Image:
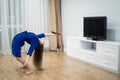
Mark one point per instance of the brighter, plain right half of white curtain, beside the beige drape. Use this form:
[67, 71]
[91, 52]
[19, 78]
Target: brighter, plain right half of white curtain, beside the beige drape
[36, 15]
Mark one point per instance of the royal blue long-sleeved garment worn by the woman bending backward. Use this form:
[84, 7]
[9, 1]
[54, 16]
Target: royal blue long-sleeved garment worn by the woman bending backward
[21, 38]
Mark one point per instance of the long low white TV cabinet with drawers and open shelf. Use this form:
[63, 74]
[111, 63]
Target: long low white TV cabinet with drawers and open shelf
[105, 54]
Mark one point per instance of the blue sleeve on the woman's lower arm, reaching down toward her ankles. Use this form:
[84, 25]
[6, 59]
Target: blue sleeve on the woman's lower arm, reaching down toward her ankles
[34, 44]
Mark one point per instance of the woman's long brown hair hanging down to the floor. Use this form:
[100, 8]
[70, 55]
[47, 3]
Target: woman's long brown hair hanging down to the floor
[37, 56]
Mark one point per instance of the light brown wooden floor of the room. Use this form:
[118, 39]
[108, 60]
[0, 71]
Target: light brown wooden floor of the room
[56, 66]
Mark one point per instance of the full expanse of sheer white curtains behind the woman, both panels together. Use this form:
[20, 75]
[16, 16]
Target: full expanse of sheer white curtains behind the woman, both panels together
[19, 15]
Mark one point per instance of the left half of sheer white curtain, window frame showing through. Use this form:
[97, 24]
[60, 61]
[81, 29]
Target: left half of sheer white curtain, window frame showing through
[11, 22]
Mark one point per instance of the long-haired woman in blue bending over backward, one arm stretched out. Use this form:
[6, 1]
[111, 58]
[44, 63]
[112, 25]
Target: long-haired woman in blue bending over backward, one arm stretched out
[36, 44]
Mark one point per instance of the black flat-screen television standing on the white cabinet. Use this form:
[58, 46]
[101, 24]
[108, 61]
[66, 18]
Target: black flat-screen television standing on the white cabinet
[95, 27]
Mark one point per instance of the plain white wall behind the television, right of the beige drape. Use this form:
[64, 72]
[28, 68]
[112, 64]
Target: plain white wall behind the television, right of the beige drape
[73, 12]
